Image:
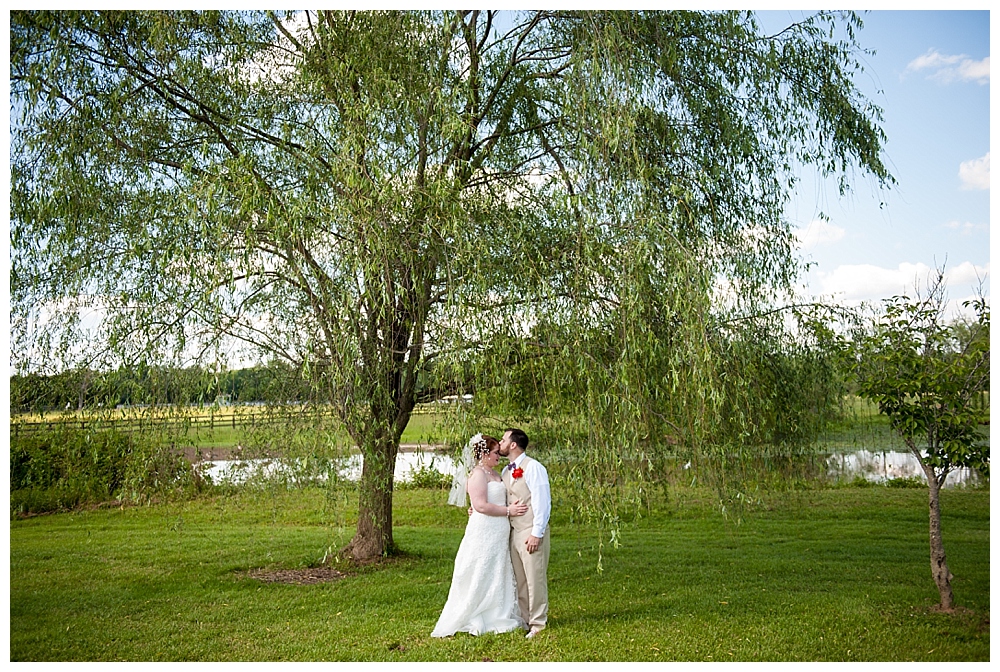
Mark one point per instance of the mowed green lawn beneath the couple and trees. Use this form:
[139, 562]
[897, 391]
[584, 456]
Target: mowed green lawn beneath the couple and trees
[820, 575]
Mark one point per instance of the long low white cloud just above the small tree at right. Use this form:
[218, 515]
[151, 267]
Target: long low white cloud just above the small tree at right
[866, 282]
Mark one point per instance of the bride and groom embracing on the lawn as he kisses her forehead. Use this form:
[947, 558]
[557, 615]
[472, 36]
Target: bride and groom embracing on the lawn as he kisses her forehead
[500, 580]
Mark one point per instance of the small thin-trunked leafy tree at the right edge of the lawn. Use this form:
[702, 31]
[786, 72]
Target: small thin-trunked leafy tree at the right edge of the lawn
[926, 375]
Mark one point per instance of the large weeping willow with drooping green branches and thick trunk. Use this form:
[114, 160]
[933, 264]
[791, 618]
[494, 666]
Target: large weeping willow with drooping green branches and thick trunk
[369, 195]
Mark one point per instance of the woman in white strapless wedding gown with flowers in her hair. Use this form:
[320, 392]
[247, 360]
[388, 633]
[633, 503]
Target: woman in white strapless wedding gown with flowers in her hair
[483, 596]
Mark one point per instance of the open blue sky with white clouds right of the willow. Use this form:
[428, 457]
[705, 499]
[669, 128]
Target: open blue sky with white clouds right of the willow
[930, 75]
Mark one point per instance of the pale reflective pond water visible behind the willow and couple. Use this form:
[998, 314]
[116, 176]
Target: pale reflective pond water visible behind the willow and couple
[873, 466]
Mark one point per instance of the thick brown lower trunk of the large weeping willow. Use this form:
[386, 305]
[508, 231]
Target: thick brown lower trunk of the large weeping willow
[373, 536]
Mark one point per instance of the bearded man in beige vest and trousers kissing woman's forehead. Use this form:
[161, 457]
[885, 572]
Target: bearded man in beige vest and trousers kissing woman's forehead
[528, 482]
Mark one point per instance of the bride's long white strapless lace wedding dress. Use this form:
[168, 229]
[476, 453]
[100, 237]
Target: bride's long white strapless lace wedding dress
[483, 597]
